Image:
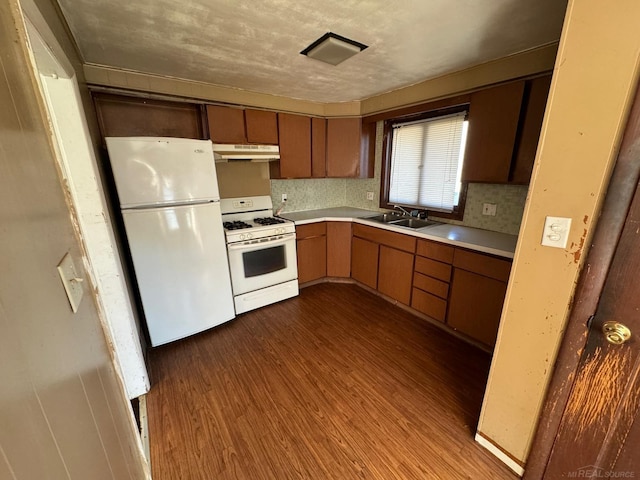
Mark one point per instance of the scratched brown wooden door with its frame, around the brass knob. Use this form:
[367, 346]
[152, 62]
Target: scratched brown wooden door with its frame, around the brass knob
[590, 426]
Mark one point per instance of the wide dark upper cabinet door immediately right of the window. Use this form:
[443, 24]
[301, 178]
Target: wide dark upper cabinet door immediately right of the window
[493, 123]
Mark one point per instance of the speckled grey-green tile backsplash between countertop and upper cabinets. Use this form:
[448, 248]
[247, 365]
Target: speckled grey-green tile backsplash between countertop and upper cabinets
[311, 194]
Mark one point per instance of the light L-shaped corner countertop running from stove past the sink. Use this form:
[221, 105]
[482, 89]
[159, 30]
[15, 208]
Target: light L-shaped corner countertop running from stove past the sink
[485, 241]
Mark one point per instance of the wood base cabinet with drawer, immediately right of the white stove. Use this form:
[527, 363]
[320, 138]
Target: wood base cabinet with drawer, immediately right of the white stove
[311, 244]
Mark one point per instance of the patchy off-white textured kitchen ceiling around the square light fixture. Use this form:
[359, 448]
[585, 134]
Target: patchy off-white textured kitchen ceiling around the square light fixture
[255, 45]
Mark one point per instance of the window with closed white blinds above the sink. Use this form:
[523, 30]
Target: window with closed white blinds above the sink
[424, 163]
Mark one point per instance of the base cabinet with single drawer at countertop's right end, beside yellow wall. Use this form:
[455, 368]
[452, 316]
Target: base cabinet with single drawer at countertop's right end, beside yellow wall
[478, 289]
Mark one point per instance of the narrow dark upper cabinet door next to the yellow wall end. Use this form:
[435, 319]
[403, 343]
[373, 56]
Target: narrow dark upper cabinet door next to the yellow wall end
[535, 104]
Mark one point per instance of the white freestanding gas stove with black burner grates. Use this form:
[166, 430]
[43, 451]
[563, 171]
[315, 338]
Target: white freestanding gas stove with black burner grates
[262, 253]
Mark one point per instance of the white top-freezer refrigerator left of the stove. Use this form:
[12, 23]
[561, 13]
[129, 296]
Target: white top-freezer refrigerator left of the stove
[168, 192]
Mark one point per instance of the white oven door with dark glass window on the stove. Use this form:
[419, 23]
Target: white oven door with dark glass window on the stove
[262, 263]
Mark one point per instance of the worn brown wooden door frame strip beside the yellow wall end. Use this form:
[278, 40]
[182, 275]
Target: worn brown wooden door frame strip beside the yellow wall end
[622, 186]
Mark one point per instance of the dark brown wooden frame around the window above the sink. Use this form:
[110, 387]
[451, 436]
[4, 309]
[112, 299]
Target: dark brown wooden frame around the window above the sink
[385, 183]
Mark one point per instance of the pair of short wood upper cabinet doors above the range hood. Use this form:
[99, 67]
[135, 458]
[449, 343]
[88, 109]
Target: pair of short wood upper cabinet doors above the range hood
[240, 126]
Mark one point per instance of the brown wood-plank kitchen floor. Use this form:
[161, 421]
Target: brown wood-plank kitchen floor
[334, 384]
